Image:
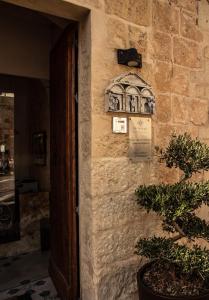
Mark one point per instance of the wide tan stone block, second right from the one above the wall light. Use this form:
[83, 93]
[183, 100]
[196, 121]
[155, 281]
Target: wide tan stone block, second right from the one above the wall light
[186, 53]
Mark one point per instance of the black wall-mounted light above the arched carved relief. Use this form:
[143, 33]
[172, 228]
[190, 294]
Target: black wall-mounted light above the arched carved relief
[129, 57]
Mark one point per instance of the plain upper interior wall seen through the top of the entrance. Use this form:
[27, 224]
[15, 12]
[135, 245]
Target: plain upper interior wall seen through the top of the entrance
[24, 46]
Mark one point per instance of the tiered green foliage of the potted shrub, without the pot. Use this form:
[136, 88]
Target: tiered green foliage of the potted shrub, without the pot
[177, 205]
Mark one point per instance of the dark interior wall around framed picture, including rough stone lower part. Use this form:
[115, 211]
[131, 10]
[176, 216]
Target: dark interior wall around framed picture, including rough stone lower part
[31, 114]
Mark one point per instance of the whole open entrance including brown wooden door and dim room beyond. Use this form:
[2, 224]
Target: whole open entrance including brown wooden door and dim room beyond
[38, 156]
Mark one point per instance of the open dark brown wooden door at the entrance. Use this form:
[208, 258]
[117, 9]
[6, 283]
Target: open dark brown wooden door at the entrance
[63, 263]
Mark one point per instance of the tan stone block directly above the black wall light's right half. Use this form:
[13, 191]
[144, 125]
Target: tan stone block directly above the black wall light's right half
[138, 39]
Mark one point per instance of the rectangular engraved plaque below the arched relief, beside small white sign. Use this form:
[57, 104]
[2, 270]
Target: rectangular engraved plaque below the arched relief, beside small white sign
[140, 137]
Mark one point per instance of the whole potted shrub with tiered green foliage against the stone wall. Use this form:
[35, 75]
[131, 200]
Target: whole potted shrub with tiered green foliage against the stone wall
[178, 266]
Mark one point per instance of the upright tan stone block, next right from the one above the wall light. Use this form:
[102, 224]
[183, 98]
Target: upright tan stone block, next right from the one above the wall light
[161, 46]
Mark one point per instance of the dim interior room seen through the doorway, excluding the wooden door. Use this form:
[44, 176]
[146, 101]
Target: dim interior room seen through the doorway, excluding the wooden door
[26, 39]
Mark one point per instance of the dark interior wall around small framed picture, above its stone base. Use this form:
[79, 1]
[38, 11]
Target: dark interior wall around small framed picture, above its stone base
[31, 115]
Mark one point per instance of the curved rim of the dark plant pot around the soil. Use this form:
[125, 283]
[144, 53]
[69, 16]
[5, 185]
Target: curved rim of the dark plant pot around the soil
[140, 274]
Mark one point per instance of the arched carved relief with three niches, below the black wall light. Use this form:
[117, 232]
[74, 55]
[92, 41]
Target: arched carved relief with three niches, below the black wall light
[129, 93]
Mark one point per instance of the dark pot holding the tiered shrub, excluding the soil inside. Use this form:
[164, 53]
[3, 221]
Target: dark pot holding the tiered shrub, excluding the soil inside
[145, 293]
